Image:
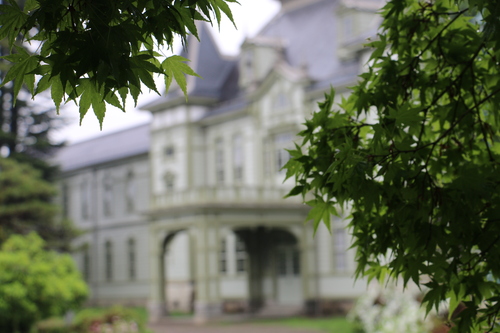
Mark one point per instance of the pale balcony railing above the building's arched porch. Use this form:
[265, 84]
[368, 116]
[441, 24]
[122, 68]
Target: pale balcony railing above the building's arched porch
[225, 195]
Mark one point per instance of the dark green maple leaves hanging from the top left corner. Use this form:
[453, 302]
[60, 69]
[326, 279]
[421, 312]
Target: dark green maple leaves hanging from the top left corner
[99, 52]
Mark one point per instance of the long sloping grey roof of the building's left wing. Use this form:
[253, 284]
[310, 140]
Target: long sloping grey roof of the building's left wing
[127, 143]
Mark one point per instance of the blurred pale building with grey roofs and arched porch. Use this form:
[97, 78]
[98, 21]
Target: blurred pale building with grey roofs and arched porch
[188, 211]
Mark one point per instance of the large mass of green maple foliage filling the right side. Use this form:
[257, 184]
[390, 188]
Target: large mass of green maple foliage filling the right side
[414, 153]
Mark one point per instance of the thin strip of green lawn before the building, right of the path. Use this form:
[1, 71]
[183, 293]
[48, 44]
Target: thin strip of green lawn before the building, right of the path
[330, 325]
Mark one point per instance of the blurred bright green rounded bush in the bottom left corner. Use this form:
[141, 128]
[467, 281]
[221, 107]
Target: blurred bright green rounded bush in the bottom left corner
[35, 283]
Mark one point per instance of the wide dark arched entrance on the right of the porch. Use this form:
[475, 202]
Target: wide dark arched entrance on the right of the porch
[273, 268]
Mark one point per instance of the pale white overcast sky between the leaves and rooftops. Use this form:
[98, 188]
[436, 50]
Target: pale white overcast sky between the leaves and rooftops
[250, 16]
